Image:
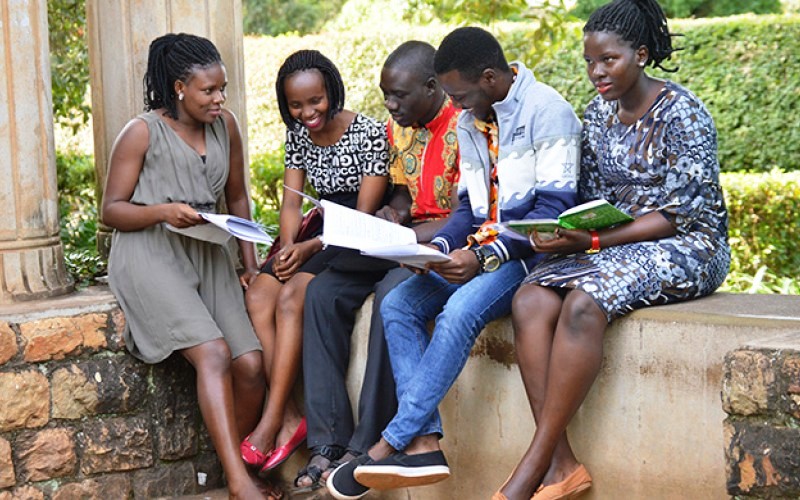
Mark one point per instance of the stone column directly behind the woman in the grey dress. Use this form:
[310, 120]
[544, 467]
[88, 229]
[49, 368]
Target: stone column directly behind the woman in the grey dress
[119, 34]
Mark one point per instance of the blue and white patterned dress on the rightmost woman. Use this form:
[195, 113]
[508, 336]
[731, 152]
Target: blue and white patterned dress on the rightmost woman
[666, 161]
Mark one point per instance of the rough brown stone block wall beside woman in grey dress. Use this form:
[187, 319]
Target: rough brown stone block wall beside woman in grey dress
[81, 418]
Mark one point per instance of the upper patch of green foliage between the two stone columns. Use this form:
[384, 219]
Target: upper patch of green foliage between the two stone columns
[69, 61]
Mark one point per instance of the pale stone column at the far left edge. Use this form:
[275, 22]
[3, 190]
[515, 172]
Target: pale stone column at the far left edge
[31, 255]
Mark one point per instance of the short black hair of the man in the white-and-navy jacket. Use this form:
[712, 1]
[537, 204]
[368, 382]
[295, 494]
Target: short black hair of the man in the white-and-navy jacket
[469, 50]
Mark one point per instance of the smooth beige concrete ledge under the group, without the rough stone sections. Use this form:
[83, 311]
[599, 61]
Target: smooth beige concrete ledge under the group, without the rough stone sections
[652, 425]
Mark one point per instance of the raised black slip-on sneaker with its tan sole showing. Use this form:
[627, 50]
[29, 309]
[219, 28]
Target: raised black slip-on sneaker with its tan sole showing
[402, 471]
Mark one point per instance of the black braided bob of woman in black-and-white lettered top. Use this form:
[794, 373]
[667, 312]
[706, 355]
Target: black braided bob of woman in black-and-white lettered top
[305, 60]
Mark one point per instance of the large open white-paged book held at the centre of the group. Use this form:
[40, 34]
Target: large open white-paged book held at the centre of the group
[375, 237]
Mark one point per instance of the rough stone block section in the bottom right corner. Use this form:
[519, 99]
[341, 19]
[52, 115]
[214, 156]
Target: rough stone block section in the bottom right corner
[761, 395]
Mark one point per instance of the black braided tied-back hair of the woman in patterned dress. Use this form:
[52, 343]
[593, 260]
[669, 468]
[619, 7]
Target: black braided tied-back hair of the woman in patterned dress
[640, 22]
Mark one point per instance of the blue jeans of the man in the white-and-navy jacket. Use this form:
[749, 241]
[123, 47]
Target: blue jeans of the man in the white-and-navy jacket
[425, 366]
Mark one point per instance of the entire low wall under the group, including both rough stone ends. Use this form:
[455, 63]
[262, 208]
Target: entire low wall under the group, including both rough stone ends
[80, 418]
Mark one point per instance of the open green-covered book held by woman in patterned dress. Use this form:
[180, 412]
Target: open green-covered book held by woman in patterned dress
[597, 214]
